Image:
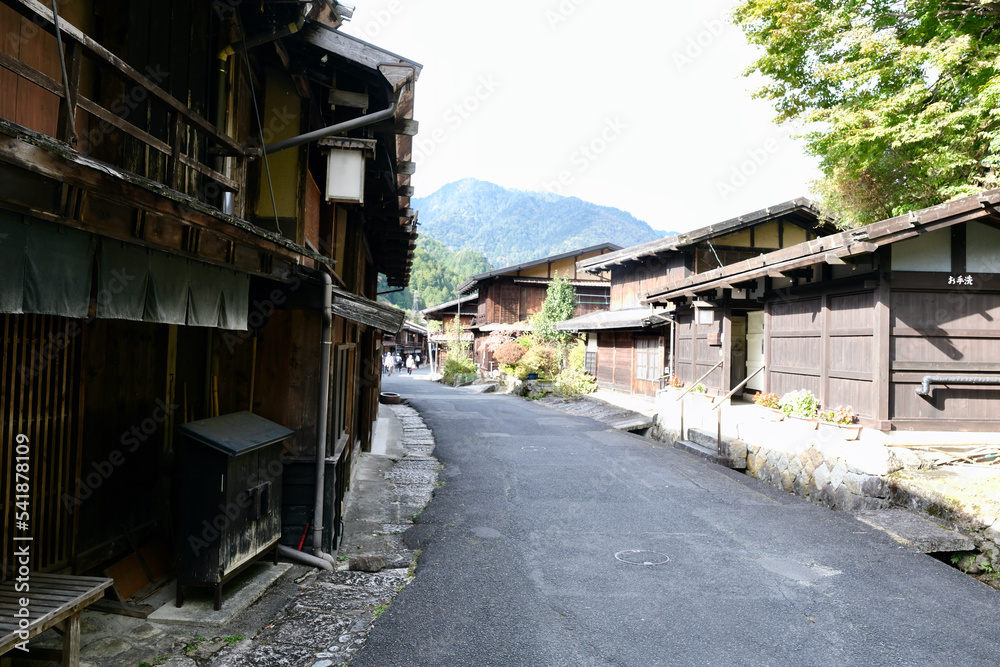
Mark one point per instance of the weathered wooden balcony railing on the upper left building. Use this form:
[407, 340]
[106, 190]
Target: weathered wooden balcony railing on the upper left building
[205, 143]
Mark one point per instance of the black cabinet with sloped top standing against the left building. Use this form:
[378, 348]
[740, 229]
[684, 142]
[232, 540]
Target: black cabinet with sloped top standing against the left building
[230, 471]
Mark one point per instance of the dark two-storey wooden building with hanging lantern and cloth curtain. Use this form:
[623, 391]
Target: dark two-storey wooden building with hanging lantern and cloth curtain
[196, 200]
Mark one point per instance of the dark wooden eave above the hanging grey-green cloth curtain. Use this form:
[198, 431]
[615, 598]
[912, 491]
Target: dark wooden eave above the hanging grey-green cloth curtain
[47, 179]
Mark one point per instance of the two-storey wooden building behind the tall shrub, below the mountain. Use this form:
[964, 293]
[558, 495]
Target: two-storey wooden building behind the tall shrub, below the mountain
[508, 297]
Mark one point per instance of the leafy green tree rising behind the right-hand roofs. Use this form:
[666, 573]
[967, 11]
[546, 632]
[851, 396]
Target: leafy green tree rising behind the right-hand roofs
[899, 98]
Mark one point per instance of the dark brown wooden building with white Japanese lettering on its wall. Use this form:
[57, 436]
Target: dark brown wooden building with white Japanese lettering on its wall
[896, 319]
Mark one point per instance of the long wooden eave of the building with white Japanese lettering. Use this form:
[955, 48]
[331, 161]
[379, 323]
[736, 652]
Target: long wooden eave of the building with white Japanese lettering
[835, 248]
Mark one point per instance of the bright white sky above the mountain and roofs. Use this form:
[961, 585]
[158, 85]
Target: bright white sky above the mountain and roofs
[634, 104]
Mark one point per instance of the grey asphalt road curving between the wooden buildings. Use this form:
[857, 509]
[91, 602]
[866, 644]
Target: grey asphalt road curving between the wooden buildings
[555, 541]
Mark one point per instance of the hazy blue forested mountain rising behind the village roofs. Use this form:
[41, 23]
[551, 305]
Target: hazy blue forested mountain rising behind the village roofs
[514, 226]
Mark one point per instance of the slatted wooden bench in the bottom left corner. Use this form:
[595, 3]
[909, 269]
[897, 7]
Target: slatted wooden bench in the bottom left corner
[54, 600]
